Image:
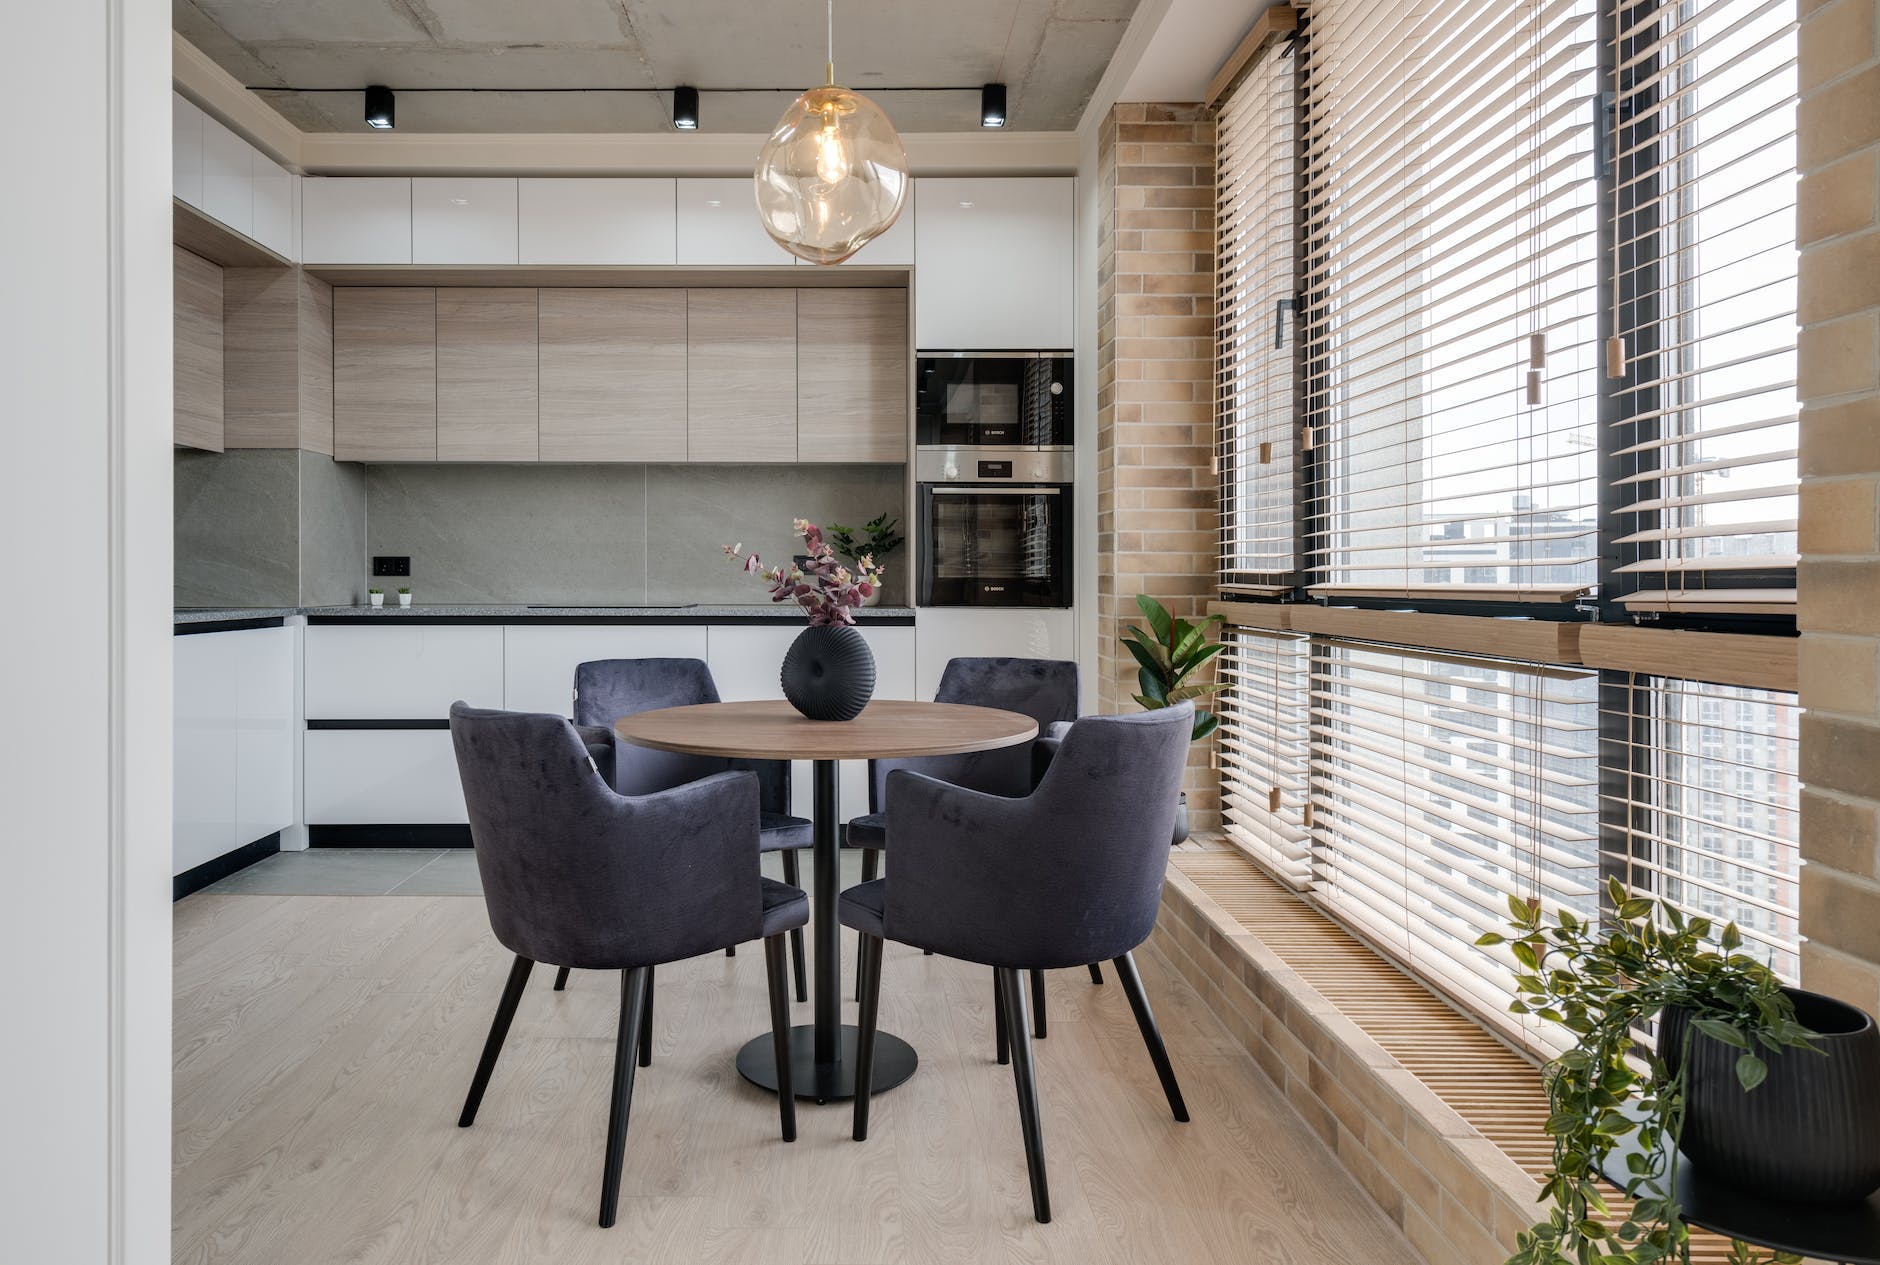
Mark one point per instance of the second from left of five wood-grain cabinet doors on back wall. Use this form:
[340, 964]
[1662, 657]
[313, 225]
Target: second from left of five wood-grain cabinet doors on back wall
[486, 375]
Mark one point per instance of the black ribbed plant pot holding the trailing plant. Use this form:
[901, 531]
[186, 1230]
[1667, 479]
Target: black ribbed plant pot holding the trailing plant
[1811, 1131]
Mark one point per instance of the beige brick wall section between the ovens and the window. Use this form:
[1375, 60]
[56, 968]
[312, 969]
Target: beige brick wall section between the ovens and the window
[1157, 514]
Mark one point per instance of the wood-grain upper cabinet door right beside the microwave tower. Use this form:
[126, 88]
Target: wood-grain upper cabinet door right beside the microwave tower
[853, 375]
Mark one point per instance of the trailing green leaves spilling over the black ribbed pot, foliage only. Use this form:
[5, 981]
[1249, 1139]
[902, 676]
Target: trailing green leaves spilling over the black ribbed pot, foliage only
[1603, 982]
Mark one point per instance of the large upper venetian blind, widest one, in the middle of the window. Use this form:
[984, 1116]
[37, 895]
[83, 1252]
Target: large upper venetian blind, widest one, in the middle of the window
[1450, 296]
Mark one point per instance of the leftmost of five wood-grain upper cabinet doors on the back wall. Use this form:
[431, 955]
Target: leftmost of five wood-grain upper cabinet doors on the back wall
[384, 375]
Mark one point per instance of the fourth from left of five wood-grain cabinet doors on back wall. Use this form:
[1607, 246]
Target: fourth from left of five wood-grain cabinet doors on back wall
[742, 373]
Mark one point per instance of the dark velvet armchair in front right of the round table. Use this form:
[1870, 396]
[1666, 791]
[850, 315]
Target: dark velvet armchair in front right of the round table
[1065, 877]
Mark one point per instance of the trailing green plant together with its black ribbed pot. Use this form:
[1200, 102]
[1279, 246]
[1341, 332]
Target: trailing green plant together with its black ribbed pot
[1727, 1031]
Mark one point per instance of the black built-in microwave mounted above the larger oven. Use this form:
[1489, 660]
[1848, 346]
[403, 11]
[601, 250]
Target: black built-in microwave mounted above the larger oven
[992, 399]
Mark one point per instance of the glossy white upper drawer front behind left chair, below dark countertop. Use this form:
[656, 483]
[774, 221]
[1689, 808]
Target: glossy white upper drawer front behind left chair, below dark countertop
[401, 674]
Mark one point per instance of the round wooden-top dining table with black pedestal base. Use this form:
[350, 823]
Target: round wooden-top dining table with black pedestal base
[824, 1054]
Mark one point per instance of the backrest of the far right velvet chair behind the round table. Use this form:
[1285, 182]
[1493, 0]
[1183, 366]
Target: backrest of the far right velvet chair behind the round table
[1046, 691]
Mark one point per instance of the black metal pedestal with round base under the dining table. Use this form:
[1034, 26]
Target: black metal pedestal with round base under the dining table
[822, 1055]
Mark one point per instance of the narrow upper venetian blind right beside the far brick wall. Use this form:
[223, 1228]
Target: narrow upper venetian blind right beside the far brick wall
[1255, 302]
